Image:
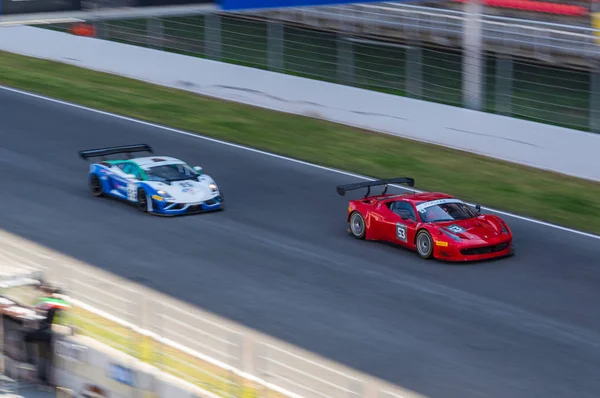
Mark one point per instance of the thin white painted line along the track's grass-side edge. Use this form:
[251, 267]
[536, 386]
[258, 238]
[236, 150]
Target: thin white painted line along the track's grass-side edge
[198, 136]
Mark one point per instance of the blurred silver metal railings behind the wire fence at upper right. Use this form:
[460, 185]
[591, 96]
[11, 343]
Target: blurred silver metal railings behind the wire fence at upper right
[401, 21]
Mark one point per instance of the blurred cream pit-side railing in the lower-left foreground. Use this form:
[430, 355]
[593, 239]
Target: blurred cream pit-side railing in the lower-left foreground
[228, 351]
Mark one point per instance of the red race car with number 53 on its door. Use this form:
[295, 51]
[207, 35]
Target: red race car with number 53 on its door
[434, 224]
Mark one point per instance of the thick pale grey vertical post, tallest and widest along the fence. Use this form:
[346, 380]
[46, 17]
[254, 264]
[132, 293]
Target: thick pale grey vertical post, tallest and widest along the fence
[472, 76]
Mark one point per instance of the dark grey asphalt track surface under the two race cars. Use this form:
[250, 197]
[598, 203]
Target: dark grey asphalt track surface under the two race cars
[279, 260]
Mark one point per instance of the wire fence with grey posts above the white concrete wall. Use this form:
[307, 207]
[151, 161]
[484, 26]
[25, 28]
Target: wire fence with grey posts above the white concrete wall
[533, 71]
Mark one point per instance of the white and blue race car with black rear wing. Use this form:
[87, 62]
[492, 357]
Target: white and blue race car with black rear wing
[159, 185]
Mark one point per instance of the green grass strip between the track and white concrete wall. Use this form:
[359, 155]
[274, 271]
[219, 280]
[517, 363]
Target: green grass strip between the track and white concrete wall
[527, 191]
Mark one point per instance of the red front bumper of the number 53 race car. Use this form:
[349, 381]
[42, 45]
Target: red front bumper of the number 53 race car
[474, 252]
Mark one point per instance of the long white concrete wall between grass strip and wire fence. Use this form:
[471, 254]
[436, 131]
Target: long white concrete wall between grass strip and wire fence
[539, 145]
